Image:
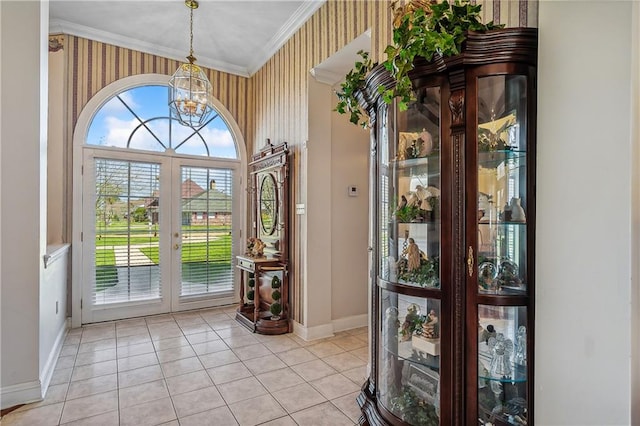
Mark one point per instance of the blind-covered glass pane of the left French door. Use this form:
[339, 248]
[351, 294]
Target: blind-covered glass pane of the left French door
[126, 225]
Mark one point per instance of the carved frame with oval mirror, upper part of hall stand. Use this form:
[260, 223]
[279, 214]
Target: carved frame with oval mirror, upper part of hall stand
[269, 170]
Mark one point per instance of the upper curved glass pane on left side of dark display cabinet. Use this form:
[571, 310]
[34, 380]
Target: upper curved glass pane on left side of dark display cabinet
[410, 195]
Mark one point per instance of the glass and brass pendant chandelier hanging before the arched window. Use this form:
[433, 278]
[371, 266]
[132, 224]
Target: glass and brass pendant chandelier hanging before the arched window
[190, 90]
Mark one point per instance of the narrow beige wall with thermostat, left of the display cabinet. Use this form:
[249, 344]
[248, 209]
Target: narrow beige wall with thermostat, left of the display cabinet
[350, 220]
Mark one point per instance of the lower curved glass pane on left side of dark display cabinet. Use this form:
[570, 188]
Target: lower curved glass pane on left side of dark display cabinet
[409, 354]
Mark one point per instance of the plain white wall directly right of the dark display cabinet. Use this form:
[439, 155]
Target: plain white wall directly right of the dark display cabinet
[582, 364]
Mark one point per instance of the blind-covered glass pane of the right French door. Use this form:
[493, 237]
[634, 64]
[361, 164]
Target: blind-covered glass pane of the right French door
[206, 207]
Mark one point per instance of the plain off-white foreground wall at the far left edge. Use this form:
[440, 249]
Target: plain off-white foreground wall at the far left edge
[23, 52]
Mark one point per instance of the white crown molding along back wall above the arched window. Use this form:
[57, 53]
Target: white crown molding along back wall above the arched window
[61, 26]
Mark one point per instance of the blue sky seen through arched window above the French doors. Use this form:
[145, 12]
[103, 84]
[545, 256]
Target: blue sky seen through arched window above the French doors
[114, 124]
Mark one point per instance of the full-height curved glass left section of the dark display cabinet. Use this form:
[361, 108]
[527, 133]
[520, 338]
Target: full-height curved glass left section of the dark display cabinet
[409, 246]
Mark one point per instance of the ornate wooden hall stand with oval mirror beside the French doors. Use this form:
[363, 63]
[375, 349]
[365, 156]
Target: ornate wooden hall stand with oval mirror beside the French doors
[269, 171]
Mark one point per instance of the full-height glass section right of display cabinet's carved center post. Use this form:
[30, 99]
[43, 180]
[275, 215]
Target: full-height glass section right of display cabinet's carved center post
[502, 259]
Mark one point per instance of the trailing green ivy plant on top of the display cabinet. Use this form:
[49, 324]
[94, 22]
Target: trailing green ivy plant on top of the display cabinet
[422, 28]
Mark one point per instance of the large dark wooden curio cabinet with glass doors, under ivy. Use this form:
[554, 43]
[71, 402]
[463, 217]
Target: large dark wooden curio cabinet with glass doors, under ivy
[452, 233]
